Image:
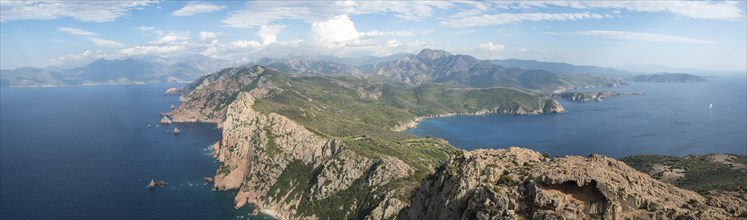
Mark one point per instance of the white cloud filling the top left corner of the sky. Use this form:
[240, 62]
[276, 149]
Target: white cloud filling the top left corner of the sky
[93, 11]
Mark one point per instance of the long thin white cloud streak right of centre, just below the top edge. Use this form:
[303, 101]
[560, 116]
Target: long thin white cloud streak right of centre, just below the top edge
[508, 18]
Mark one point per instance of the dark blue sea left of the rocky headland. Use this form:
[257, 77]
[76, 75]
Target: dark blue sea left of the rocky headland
[86, 152]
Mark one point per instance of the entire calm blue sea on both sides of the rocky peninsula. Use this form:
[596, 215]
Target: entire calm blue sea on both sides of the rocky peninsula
[86, 152]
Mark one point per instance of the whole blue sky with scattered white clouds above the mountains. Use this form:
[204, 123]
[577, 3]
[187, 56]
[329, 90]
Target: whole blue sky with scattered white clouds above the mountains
[709, 35]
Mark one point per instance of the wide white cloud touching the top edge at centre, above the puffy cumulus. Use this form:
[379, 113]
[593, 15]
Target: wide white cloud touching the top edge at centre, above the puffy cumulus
[257, 13]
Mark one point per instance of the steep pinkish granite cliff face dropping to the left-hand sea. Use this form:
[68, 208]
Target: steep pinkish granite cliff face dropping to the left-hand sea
[259, 151]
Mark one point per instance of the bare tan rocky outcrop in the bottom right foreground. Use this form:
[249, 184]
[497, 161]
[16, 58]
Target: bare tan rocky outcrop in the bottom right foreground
[519, 183]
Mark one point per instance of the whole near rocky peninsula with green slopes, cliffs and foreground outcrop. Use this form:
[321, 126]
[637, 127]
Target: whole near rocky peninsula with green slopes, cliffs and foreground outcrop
[289, 151]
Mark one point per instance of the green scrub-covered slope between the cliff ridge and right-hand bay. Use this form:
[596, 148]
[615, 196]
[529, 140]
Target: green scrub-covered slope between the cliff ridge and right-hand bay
[346, 106]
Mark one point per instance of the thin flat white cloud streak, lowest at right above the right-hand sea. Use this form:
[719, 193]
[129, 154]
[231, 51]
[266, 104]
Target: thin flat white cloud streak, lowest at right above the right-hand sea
[636, 36]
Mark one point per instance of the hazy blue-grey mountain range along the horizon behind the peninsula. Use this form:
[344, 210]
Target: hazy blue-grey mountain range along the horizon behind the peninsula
[428, 66]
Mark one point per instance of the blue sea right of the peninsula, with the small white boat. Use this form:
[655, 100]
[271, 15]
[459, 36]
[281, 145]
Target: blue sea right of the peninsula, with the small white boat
[670, 119]
